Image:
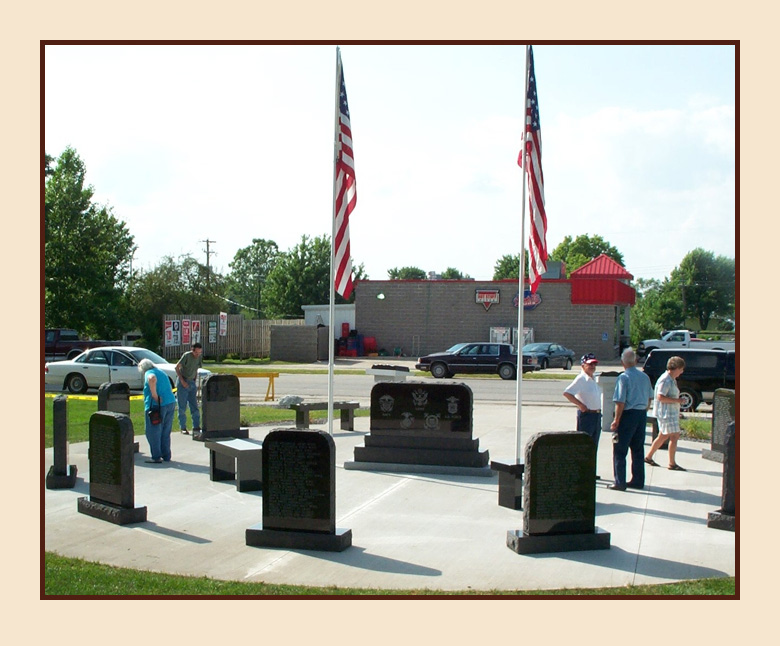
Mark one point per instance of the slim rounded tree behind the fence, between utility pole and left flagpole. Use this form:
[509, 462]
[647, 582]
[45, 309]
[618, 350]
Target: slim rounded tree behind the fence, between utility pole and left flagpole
[249, 271]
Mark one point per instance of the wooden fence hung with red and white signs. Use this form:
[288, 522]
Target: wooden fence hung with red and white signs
[244, 338]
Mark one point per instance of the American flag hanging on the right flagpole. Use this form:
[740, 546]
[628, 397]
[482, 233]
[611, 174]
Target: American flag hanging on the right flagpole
[532, 150]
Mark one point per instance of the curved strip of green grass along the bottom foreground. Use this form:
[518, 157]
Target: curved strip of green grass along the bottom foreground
[75, 577]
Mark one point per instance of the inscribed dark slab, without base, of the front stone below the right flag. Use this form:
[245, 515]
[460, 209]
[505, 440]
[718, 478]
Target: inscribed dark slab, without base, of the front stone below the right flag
[560, 485]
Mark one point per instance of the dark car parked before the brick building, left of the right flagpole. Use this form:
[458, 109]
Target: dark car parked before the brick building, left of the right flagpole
[475, 358]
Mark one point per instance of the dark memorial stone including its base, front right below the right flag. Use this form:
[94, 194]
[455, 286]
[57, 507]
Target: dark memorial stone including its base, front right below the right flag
[559, 496]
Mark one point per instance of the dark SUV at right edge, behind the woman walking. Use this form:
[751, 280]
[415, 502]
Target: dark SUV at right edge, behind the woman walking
[705, 370]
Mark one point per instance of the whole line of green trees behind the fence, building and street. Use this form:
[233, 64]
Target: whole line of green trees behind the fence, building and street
[89, 284]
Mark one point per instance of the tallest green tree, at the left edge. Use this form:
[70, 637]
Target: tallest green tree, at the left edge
[87, 254]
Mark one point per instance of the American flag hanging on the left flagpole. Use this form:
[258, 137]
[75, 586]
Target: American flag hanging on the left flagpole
[345, 191]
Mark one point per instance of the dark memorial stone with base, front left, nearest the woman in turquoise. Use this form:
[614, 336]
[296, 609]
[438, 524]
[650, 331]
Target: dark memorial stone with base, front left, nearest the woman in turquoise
[111, 471]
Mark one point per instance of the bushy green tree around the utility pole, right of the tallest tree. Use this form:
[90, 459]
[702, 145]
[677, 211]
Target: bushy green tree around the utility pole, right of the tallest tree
[172, 287]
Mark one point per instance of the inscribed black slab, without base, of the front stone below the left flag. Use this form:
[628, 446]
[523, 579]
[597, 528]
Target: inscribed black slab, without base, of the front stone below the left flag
[299, 481]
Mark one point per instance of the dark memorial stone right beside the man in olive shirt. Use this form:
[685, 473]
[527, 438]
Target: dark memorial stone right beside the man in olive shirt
[221, 408]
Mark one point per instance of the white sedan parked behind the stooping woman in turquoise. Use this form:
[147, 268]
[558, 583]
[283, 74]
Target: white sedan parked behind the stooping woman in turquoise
[112, 364]
